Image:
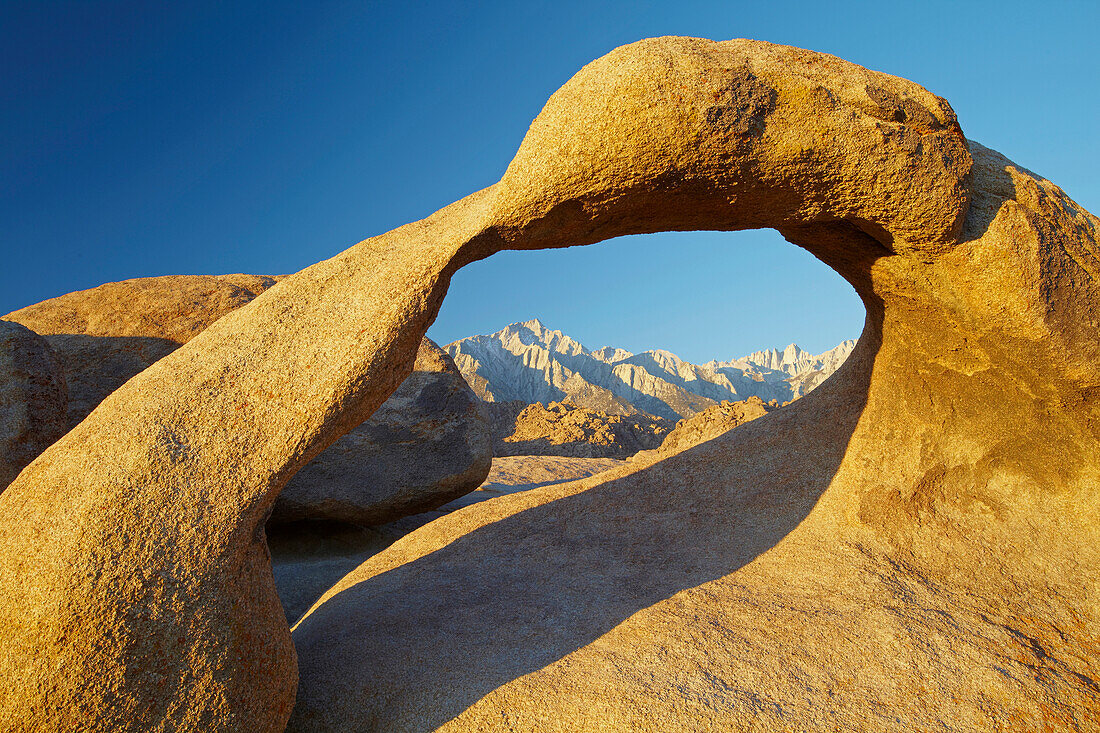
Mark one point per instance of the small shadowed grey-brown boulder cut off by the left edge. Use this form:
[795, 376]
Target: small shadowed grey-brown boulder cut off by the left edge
[32, 399]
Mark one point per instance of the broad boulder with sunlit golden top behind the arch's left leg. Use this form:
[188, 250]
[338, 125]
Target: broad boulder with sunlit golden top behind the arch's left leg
[106, 335]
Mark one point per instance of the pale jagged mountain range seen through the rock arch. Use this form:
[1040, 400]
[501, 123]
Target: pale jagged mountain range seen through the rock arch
[533, 364]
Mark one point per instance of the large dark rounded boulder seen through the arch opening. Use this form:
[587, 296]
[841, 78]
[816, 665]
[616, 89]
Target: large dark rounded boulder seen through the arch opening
[425, 446]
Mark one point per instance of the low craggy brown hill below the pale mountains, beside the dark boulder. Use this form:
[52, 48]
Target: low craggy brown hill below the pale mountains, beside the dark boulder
[563, 429]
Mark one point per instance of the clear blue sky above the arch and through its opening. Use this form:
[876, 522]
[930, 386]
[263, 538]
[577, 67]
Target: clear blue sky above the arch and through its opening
[155, 138]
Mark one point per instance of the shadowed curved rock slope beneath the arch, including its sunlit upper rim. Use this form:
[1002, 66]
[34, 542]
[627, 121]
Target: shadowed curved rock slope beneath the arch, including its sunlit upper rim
[486, 596]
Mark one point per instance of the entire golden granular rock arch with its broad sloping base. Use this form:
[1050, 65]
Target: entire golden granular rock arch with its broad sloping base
[912, 546]
